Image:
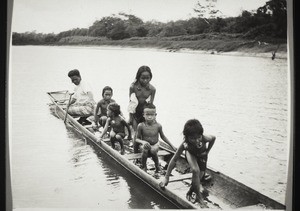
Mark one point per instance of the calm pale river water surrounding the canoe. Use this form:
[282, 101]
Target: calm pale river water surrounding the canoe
[241, 100]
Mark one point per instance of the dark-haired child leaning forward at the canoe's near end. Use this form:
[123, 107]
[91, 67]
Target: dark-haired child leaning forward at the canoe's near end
[196, 146]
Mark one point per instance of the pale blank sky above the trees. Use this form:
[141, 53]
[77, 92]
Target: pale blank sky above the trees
[54, 16]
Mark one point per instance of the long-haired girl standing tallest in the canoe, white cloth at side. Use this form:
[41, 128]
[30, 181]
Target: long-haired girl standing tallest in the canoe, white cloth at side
[140, 92]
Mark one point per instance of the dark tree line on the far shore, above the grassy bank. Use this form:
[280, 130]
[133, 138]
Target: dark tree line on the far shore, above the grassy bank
[269, 21]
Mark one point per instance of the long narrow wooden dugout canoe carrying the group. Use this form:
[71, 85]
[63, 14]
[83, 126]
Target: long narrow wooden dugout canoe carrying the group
[220, 191]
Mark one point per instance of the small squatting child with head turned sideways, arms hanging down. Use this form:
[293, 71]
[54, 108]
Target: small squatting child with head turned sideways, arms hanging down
[118, 124]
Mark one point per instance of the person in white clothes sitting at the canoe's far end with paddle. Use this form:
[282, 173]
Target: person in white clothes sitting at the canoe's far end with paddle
[82, 103]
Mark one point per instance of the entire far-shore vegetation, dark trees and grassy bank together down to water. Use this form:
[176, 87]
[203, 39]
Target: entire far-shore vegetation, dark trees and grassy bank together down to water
[268, 24]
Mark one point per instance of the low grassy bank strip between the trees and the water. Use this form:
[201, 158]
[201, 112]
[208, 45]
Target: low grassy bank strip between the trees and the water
[206, 42]
